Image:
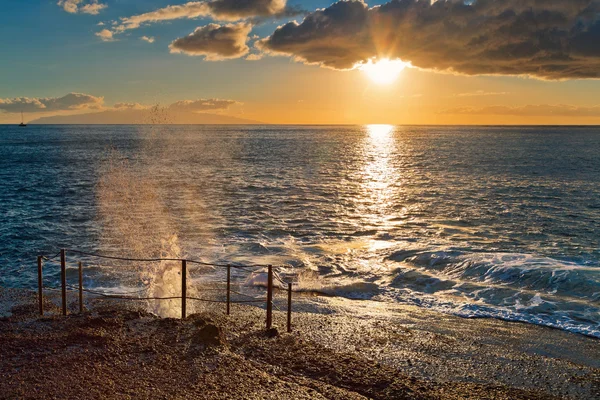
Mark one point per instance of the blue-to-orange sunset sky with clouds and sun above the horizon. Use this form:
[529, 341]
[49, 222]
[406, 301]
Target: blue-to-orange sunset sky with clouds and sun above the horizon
[472, 61]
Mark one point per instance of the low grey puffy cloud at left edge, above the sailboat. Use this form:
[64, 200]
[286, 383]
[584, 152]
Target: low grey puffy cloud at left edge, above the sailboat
[69, 102]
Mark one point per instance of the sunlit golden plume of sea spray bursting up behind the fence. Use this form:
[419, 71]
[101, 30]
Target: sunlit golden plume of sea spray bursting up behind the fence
[136, 212]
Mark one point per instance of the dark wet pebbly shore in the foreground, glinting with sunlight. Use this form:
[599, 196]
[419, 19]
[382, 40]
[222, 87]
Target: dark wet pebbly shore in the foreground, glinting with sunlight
[357, 349]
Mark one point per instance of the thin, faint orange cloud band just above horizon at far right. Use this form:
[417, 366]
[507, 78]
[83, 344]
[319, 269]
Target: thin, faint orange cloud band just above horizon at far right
[540, 110]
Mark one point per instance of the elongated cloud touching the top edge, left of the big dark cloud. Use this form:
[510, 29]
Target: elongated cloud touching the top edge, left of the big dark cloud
[222, 10]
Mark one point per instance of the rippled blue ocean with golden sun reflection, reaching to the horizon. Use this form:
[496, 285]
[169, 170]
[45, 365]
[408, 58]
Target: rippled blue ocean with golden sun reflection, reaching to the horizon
[499, 222]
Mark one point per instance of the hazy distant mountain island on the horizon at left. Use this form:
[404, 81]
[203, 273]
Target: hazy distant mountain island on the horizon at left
[146, 116]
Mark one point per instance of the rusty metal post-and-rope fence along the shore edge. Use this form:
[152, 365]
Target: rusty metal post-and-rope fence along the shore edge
[184, 285]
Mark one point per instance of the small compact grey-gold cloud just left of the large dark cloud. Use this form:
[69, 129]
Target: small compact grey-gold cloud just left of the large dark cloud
[215, 42]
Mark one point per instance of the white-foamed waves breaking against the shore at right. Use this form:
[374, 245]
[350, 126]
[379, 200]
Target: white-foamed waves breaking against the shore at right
[509, 286]
